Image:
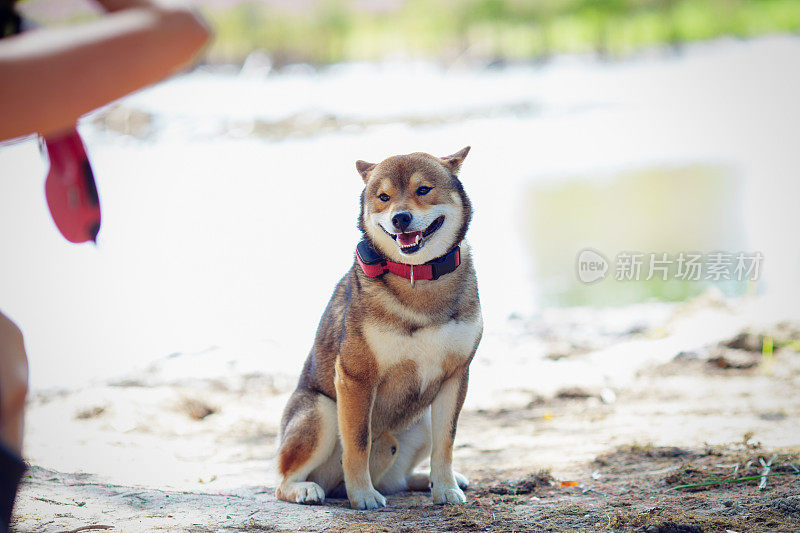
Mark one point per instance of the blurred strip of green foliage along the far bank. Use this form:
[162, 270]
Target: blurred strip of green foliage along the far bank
[325, 31]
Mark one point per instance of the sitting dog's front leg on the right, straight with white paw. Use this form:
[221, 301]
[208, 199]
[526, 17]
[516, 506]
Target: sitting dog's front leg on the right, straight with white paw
[444, 417]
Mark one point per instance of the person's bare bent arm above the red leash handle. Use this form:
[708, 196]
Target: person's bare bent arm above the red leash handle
[50, 77]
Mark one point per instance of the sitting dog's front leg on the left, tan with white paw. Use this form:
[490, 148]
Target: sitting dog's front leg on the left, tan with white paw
[354, 399]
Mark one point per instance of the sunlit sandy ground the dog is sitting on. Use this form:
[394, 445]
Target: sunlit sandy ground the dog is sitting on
[575, 420]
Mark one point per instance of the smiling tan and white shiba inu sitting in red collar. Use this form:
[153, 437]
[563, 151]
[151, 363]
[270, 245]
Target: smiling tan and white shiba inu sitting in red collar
[383, 386]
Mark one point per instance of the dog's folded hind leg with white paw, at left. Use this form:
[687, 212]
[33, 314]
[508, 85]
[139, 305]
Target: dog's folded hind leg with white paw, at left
[308, 438]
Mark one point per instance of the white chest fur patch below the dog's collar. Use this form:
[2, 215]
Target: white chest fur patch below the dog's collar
[427, 346]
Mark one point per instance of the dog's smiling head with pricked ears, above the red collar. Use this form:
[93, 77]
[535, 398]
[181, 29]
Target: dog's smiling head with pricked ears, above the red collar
[413, 208]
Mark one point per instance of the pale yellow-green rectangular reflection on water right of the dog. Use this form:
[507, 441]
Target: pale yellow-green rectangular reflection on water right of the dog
[679, 211]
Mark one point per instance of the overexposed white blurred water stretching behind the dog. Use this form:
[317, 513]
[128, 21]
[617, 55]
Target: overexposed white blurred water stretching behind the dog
[216, 238]
